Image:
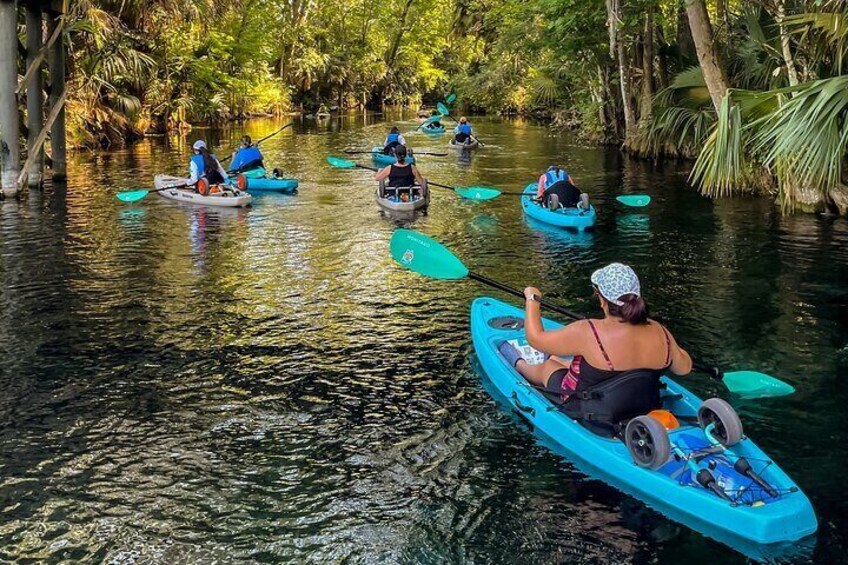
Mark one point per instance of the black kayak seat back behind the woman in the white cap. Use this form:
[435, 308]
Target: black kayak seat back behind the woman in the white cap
[607, 407]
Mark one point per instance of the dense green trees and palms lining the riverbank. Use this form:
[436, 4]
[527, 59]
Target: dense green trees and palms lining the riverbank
[755, 92]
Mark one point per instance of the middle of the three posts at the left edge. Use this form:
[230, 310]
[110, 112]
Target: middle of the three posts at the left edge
[35, 98]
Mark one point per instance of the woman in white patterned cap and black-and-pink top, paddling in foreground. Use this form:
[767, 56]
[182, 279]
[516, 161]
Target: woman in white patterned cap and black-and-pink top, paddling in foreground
[621, 344]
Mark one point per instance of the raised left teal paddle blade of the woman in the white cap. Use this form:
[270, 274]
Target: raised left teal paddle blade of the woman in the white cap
[425, 256]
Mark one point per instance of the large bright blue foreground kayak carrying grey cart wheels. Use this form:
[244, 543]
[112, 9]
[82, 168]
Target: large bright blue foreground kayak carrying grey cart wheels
[749, 514]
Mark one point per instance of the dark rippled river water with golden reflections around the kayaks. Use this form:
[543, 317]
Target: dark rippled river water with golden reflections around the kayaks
[184, 384]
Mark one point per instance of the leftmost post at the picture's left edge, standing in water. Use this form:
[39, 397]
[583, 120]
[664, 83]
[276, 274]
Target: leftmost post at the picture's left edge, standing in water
[9, 122]
